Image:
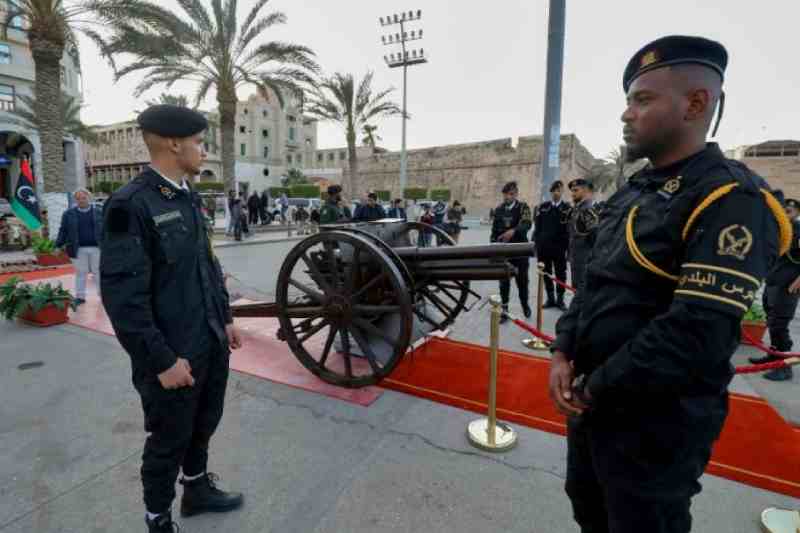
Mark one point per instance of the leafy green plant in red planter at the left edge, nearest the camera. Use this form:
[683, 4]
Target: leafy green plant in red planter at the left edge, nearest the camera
[41, 305]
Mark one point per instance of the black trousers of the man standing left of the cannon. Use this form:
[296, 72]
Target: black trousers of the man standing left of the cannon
[180, 423]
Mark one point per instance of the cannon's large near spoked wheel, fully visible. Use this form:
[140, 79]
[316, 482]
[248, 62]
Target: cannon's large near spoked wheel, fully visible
[344, 300]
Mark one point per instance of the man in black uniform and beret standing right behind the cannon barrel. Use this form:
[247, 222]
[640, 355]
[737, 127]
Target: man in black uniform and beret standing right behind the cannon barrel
[512, 222]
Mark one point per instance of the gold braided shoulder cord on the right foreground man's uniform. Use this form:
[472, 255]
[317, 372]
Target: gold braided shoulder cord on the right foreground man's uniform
[784, 225]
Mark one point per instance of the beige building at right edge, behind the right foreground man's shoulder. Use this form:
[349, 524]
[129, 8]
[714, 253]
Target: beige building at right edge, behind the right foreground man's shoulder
[776, 161]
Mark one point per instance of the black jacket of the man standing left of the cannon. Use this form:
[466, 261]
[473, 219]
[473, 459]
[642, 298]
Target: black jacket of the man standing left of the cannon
[161, 285]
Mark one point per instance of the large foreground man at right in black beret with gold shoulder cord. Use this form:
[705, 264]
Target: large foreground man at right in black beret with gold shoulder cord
[642, 359]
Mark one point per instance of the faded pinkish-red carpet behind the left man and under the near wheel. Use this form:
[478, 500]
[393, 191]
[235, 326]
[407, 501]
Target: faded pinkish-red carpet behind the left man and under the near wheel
[262, 355]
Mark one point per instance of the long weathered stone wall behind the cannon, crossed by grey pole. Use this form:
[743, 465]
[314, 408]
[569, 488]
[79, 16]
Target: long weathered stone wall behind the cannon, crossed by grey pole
[475, 172]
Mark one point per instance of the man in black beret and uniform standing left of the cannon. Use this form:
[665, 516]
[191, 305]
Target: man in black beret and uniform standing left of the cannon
[164, 293]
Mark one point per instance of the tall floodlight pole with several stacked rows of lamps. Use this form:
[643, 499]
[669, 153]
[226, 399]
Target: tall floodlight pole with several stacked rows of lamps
[403, 59]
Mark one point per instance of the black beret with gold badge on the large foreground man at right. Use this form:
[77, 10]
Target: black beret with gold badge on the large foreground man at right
[676, 50]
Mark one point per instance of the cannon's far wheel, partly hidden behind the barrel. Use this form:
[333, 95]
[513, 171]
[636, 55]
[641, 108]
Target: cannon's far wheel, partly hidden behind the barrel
[448, 297]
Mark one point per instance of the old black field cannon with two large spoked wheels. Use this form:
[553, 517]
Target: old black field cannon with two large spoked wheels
[352, 299]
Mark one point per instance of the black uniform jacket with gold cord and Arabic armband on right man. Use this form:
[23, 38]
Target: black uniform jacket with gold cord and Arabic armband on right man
[679, 255]
